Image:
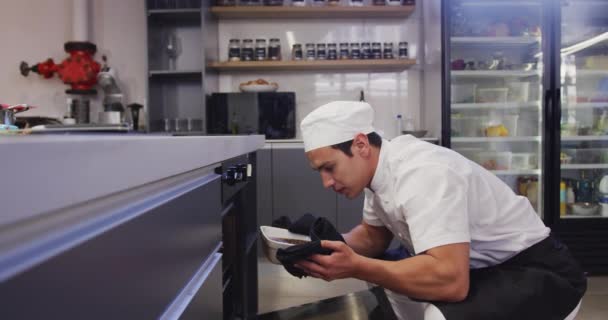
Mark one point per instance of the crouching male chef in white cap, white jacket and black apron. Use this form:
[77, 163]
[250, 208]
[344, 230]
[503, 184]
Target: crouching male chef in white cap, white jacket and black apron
[479, 250]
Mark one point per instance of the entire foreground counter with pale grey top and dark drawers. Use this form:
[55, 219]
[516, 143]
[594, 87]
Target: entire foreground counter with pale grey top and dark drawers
[169, 239]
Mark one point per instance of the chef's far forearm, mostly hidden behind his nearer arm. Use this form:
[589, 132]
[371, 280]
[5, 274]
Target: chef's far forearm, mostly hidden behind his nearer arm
[367, 240]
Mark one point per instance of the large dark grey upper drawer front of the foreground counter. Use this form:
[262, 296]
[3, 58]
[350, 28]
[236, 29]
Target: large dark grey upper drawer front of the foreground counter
[132, 271]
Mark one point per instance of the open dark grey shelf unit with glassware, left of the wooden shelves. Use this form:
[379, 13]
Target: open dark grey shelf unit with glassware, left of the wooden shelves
[178, 40]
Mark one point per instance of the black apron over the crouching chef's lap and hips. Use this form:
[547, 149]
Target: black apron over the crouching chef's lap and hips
[543, 282]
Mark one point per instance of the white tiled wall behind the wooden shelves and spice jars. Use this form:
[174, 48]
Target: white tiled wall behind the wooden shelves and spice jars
[389, 93]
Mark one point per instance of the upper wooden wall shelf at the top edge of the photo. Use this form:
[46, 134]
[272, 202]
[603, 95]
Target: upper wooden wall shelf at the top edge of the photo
[290, 12]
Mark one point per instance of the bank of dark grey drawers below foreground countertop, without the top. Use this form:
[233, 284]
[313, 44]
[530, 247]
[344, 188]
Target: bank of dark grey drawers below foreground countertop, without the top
[133, 261]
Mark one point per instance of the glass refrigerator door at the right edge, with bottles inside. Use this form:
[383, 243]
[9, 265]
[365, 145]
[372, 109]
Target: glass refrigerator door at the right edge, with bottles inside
[579, 192]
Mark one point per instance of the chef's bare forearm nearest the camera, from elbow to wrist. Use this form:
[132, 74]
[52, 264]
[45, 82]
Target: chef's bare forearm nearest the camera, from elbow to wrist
[421, 277]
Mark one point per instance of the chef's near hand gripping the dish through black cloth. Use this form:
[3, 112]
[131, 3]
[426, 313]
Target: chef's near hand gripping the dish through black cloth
[342, 263]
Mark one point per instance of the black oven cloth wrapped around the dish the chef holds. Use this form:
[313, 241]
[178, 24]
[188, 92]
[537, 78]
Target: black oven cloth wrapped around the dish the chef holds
[321, 229]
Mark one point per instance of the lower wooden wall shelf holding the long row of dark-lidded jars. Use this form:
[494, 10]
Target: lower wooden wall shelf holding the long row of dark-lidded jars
[385, 65]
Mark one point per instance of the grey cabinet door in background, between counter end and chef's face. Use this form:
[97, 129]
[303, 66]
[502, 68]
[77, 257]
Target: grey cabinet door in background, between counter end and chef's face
[297, 189]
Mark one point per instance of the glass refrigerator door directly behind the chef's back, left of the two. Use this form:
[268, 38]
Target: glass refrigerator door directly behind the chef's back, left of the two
[493, 83]
